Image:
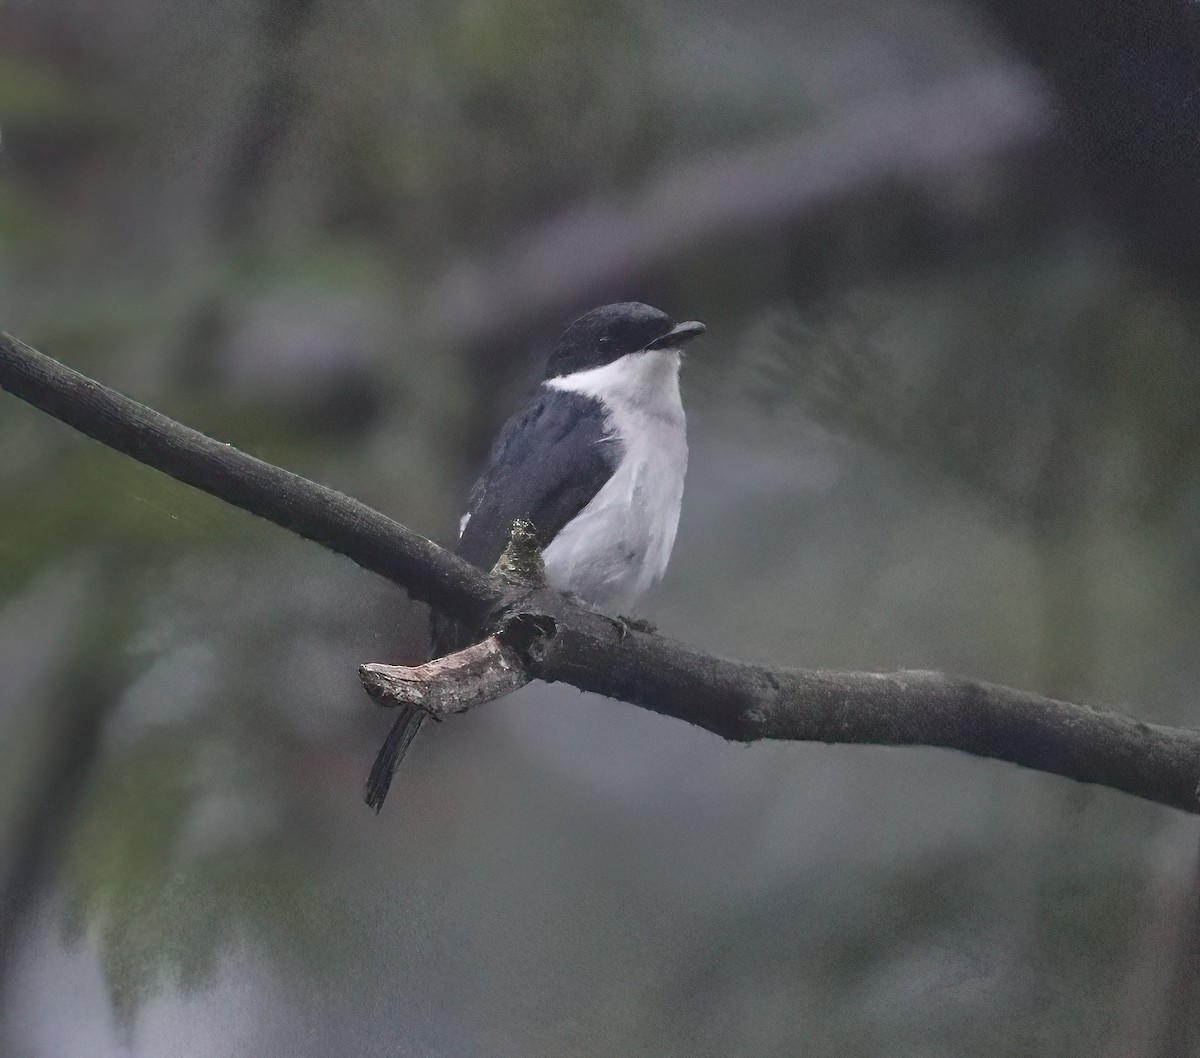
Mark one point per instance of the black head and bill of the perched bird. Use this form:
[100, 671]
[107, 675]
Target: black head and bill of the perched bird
[613, 332]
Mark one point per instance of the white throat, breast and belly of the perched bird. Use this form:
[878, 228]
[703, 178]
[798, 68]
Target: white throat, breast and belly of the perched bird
[620, 544]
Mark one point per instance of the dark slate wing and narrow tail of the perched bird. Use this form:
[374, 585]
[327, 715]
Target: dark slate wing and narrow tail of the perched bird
[547, 464]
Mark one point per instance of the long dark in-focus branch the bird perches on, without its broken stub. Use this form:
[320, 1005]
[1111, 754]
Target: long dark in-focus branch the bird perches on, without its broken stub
[551, 639]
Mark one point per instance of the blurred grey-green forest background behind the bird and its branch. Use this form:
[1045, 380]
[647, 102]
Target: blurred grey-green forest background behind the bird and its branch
[947, 416]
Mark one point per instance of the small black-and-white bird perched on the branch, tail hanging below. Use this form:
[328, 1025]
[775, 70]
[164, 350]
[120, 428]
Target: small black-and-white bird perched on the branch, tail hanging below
[595, 461]
